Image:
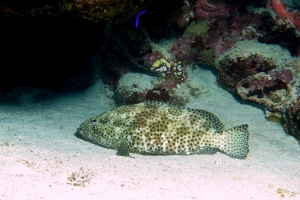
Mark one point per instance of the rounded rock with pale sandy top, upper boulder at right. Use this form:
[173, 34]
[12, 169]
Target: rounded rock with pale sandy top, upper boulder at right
[247, 58]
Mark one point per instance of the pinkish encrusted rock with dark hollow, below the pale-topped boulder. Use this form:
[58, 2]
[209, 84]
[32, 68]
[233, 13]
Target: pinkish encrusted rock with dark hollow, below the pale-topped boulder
[270, 89]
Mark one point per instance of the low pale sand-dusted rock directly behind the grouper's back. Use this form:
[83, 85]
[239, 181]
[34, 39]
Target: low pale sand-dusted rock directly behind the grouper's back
[138, 87]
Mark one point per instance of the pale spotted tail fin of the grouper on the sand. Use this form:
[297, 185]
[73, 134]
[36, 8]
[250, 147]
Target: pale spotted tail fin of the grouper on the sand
[234, 141]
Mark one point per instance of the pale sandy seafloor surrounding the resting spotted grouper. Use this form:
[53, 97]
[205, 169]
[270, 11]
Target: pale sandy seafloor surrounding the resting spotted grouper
[39, 154]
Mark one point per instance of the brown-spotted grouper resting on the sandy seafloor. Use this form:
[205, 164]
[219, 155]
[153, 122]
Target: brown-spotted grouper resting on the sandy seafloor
[154, 128]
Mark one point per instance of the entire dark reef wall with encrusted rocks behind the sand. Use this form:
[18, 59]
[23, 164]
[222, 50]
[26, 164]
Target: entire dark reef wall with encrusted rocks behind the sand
[253, 49]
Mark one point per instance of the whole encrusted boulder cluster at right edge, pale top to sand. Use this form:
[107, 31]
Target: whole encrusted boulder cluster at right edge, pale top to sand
[265, 74]
